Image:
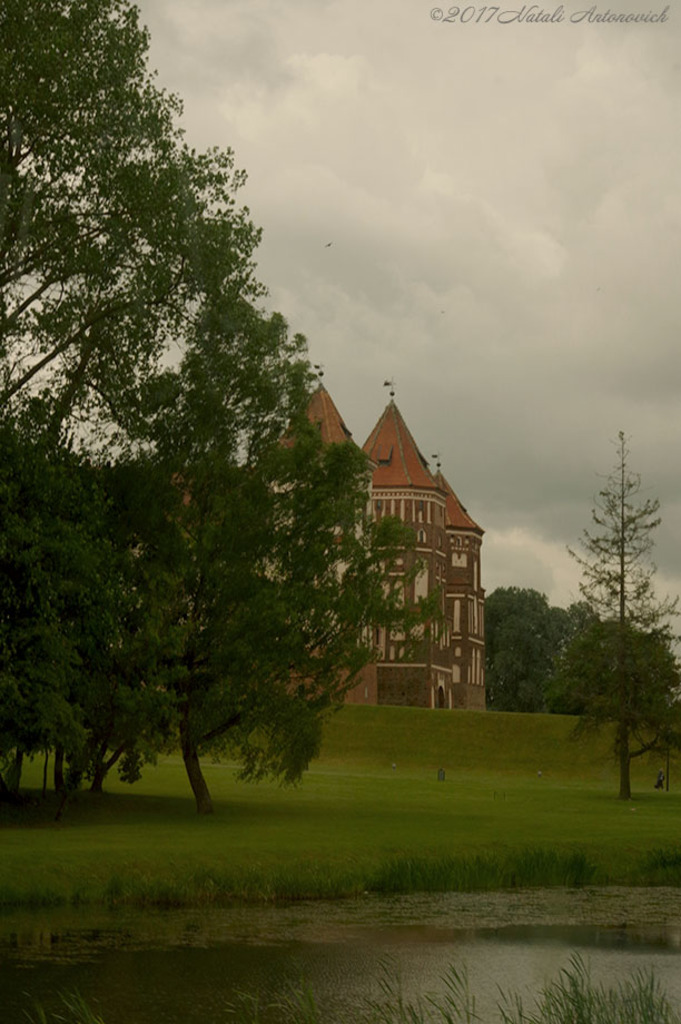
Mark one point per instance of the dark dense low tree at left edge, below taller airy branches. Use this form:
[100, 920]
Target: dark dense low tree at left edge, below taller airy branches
[74, 638]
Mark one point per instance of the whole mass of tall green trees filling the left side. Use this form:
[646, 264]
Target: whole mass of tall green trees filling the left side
[173, 573]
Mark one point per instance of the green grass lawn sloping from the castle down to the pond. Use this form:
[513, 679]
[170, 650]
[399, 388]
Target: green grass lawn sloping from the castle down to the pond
[357, 824]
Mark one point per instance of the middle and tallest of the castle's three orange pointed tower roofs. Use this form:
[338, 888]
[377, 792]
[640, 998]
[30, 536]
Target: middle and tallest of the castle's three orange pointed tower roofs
[399, 461]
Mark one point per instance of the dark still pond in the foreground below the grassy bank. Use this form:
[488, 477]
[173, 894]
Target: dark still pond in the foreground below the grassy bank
[189, 966]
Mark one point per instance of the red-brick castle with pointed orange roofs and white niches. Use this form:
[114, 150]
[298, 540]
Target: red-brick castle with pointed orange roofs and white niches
[449, 669]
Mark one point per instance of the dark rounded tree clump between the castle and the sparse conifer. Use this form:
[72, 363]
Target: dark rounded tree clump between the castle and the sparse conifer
[525, 637]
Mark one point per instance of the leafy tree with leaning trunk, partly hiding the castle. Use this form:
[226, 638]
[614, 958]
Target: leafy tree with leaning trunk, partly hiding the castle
[272, 574]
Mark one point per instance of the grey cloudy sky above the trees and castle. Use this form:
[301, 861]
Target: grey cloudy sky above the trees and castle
[503, 198]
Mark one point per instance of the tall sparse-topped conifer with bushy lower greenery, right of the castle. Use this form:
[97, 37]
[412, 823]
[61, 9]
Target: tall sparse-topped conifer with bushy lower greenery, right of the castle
[624, 668]
